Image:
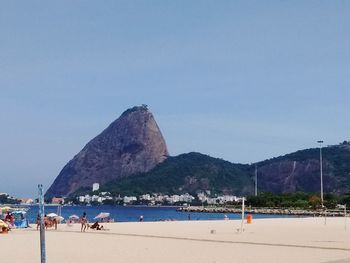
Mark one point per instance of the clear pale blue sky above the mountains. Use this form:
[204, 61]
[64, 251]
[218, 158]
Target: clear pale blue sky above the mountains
[240, 80]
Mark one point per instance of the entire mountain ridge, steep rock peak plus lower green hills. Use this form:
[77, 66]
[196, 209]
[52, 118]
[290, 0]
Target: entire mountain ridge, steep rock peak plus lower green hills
[131, 155]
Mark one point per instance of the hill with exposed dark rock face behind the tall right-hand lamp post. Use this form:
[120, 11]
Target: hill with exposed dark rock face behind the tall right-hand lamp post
[300, 171]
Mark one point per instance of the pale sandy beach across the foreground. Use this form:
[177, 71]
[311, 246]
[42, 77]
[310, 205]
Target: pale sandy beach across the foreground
[265, 240]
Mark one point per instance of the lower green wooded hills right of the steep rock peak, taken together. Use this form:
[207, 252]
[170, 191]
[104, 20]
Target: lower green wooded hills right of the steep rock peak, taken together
[193, 172]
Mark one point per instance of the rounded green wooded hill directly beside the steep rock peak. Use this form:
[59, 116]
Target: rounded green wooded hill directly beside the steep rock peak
[188, 173]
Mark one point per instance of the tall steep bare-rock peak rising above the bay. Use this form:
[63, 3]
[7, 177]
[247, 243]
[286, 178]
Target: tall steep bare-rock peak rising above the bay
[131, 144]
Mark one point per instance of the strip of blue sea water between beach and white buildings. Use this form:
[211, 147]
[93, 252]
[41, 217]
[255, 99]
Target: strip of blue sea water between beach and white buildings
[132, 213]
